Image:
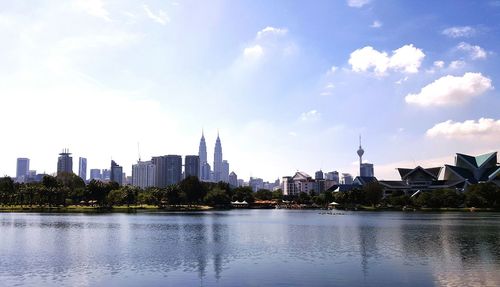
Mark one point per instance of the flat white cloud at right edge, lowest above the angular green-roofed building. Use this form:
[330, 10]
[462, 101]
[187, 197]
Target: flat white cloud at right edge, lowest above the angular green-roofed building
[471, 129]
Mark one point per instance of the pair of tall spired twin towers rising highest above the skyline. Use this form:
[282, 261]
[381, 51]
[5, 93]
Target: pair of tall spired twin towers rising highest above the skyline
[220, 170]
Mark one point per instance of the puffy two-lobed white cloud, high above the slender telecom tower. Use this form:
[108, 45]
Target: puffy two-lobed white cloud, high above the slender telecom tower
[405, 59]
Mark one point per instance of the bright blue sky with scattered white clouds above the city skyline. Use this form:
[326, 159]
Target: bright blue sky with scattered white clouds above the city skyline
[289, 85]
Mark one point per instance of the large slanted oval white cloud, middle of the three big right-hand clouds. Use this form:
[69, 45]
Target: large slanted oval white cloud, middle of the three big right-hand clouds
[451, 90]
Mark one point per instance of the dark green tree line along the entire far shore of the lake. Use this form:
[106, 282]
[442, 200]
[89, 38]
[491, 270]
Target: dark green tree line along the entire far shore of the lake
[69, 189]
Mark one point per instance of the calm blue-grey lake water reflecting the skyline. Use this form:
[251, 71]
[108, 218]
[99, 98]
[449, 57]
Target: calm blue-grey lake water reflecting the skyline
[250, 248]
